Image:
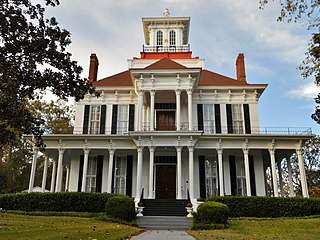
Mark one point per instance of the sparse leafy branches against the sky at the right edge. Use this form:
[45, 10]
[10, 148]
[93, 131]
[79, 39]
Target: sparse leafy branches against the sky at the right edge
[308, 10]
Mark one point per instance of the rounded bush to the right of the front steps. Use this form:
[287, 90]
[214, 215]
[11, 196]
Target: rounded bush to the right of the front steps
[212, 212]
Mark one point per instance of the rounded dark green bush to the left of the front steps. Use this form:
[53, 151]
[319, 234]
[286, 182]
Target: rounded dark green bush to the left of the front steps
[121, 207]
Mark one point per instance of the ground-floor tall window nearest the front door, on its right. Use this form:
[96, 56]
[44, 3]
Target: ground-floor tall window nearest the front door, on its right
[211, 177]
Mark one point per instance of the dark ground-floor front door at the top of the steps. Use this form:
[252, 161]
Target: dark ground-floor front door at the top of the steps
[166, 181]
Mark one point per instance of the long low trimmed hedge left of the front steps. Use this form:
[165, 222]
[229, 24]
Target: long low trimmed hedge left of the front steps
[58, 202]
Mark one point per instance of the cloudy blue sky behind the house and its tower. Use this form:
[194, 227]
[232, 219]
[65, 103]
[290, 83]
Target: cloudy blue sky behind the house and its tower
[219, 30]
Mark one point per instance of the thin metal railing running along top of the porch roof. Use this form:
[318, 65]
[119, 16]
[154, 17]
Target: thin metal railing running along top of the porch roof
[184, 126]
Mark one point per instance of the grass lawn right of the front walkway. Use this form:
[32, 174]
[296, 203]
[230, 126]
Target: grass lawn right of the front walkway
[280, 228]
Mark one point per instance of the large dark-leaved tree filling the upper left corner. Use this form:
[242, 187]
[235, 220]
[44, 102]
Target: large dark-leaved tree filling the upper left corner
[33, 57]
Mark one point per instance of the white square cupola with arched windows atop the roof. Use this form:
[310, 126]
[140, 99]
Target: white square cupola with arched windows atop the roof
[166, 33]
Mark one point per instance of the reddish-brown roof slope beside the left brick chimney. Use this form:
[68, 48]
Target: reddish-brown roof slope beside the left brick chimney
[122, 79]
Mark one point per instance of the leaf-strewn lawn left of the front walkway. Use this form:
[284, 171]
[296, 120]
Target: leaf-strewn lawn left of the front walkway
[14, 226]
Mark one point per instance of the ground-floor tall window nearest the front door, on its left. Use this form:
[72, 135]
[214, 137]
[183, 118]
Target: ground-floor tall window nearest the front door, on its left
[120, 175]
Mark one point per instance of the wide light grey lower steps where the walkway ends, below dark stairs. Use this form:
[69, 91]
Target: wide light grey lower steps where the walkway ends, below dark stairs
[164, 222]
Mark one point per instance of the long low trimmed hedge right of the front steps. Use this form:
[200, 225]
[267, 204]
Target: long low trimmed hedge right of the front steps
[269, 206]
